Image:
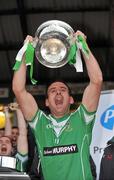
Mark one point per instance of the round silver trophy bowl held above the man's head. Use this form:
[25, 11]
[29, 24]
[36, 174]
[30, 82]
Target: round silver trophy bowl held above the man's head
[53, 45]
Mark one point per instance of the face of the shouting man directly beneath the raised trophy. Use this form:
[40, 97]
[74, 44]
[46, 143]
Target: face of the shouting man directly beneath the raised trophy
[58, 99]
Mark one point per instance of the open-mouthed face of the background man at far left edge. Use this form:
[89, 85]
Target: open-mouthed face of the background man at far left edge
[5, 146]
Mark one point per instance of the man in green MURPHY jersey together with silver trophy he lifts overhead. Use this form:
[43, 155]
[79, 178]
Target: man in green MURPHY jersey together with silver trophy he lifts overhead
[63, 136]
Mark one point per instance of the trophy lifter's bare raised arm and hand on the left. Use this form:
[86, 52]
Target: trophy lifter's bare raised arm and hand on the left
[26, 101]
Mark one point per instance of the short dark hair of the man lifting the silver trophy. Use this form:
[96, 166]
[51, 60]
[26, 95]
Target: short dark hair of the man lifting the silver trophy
[54, 81]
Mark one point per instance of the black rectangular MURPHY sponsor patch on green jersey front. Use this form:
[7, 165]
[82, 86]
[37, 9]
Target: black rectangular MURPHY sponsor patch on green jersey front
[57, 150]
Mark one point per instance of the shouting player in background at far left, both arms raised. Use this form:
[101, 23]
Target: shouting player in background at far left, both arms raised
[6, 148]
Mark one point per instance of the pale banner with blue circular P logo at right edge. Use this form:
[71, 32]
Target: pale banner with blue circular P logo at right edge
[103, 129]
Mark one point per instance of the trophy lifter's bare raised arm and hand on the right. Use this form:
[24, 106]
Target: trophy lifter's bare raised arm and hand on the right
[92, 92]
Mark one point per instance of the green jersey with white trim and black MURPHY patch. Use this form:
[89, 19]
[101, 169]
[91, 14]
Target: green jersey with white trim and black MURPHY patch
[63, 144]
